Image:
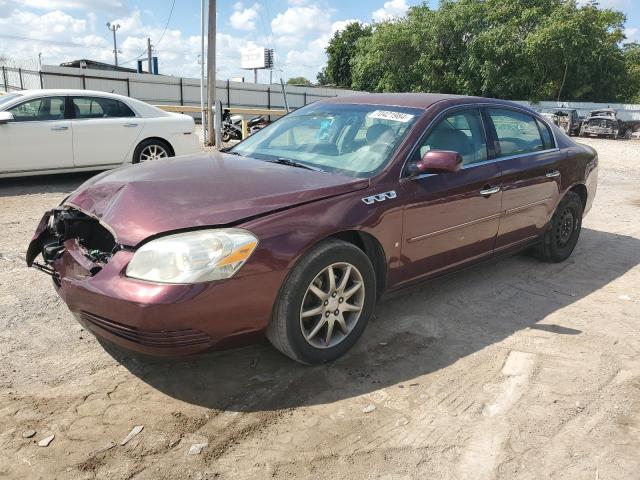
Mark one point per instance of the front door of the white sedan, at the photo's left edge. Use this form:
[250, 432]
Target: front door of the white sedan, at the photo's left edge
[39, 137]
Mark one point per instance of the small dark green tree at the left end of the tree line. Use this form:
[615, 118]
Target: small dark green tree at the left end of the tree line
[340, 51]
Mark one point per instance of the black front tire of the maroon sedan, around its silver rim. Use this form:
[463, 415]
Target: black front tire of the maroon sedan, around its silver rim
[285, 331]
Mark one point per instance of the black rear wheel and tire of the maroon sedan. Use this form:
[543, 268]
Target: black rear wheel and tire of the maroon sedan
[558, 242]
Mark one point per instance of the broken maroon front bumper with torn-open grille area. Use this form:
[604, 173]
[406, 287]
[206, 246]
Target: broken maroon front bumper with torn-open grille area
[88, 268]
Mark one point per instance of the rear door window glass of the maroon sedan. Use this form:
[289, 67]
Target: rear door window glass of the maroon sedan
[518, 133]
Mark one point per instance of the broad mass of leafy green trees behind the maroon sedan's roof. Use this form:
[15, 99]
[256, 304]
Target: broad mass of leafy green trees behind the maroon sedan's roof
[517, 49]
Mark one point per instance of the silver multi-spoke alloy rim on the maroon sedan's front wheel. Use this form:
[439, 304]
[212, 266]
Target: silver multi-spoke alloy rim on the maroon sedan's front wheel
[332, 305]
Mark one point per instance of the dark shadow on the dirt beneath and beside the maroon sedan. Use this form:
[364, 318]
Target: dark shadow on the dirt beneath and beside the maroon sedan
[410, 335]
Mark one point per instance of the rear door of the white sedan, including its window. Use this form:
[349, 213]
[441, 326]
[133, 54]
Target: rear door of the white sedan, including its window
[105, 131]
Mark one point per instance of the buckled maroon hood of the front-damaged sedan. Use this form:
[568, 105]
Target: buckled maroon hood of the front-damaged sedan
[218, 189]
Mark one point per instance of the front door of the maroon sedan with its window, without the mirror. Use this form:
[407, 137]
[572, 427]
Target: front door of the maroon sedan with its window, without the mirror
[451, 218]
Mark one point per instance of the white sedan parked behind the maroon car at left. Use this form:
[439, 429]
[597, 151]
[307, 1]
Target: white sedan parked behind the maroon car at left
[57, 131]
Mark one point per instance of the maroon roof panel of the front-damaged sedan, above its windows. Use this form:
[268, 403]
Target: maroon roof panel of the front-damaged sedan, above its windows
[414, 100]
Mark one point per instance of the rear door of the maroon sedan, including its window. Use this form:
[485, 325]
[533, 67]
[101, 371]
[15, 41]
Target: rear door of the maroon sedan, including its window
[531, 172]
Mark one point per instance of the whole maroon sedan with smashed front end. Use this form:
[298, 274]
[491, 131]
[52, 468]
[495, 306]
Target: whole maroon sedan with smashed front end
[298, 230]
